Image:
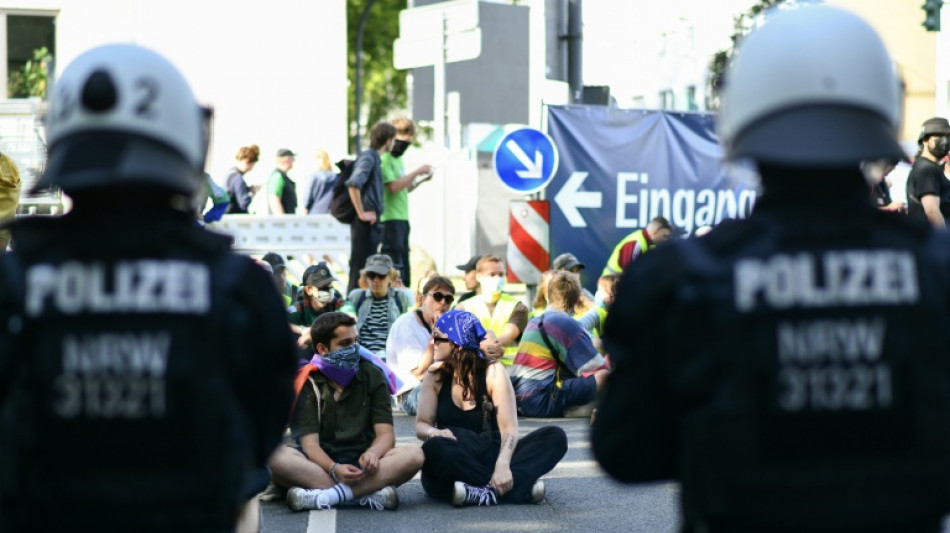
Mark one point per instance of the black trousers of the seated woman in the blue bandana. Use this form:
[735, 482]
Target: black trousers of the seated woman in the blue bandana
[448, 461]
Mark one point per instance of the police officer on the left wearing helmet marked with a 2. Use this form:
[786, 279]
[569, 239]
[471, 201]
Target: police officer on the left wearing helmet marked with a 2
[145, 371]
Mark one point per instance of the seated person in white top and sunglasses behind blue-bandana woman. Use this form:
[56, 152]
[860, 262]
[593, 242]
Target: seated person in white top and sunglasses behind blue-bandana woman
[407, 348]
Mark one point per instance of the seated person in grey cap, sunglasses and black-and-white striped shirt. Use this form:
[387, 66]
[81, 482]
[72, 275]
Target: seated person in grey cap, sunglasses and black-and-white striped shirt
[378, 307]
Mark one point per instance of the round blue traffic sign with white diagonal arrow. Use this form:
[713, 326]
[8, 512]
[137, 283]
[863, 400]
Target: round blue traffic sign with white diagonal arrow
[526, 160]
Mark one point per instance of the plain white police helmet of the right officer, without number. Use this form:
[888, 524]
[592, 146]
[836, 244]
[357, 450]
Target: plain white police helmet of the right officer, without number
[813, 86]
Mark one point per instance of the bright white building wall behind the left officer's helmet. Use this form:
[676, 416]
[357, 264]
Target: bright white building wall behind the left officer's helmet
[275, 71]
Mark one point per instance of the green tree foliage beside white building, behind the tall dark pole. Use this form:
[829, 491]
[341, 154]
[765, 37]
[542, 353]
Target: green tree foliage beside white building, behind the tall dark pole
[384, 87]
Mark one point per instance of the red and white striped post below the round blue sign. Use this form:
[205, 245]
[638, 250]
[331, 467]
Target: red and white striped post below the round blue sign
[529, 235]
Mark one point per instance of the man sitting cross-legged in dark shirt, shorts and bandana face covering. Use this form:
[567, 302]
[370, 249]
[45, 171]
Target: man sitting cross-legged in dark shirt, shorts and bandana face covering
[342, 428]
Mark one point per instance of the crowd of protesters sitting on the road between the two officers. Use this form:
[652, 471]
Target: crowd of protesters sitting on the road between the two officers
[465, 367]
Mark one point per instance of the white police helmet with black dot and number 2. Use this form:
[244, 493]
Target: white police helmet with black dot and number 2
[123, 115]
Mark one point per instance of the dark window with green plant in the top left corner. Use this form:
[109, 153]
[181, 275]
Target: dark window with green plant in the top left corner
[29, 48]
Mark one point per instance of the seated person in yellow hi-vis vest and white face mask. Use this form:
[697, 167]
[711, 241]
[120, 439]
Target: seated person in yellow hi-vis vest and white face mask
[499, 312]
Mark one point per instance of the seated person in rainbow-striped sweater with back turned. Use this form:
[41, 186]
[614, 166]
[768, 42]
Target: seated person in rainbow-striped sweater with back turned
[557, 365]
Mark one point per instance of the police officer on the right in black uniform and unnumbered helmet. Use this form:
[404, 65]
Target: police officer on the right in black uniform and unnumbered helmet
[790, 370]
